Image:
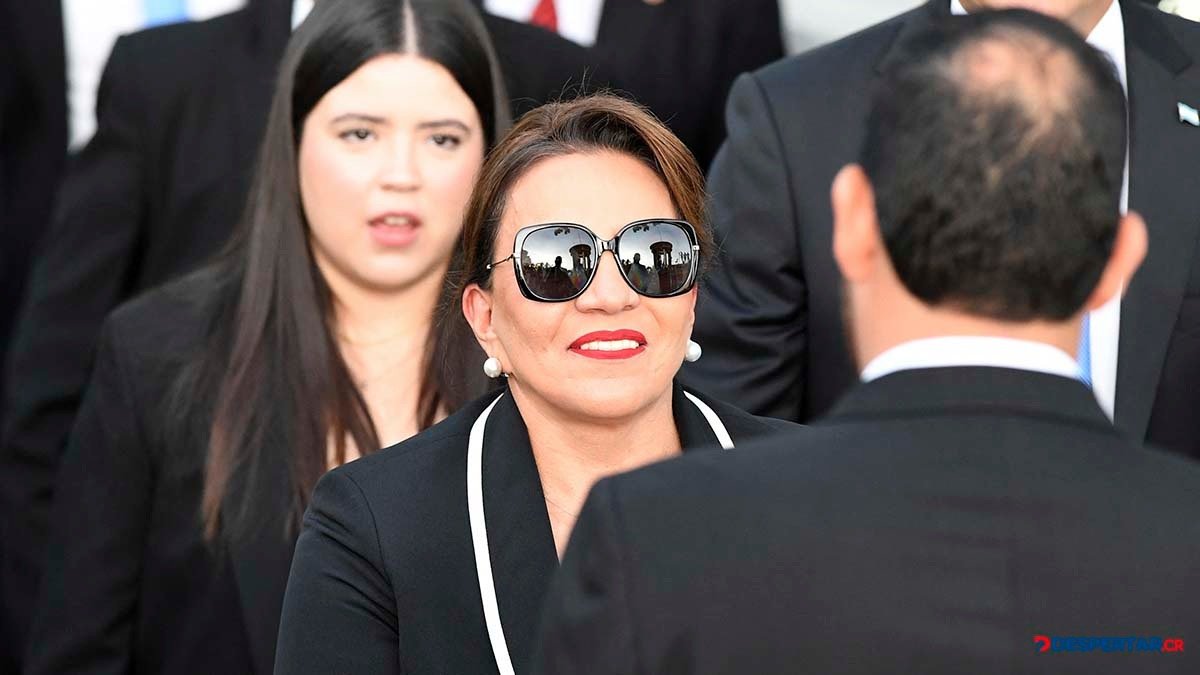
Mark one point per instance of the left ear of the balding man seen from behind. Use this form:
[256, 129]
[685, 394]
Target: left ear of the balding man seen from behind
[856, 226]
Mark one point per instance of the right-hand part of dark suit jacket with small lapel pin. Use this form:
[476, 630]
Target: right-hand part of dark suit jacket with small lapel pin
[1162, 188]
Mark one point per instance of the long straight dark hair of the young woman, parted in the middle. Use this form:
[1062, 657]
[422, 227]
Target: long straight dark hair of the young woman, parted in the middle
[272, 391]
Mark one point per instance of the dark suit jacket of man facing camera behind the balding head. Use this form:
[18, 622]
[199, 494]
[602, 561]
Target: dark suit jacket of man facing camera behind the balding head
[770, 319]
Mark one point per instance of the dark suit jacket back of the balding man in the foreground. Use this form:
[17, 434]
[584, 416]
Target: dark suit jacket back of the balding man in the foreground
[933, 524]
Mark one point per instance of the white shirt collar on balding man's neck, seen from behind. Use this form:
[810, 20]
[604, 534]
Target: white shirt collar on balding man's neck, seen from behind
[973, 351]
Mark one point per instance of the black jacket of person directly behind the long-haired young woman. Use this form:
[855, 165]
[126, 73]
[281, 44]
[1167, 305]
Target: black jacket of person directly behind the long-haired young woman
[155, 194]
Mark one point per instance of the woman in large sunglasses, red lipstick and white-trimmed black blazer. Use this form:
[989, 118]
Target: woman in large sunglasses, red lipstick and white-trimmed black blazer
[585, 241]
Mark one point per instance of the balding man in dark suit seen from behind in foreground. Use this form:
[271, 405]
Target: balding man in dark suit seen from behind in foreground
[968, 505]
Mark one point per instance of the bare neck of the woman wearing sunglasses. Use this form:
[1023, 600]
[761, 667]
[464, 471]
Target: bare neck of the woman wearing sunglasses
[574, 452]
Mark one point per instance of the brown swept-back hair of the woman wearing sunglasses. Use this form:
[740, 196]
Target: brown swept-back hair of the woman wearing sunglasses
[601, 123]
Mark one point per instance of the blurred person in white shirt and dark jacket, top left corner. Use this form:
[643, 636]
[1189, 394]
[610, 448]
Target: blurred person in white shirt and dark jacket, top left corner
[52, 55]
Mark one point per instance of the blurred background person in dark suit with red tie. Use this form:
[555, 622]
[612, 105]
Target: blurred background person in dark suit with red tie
[676, 57]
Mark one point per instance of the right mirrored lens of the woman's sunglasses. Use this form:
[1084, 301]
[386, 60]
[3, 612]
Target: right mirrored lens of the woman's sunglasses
[657, 258]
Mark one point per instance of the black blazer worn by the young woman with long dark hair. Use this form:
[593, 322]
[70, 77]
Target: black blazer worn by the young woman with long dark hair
[130, 583]
